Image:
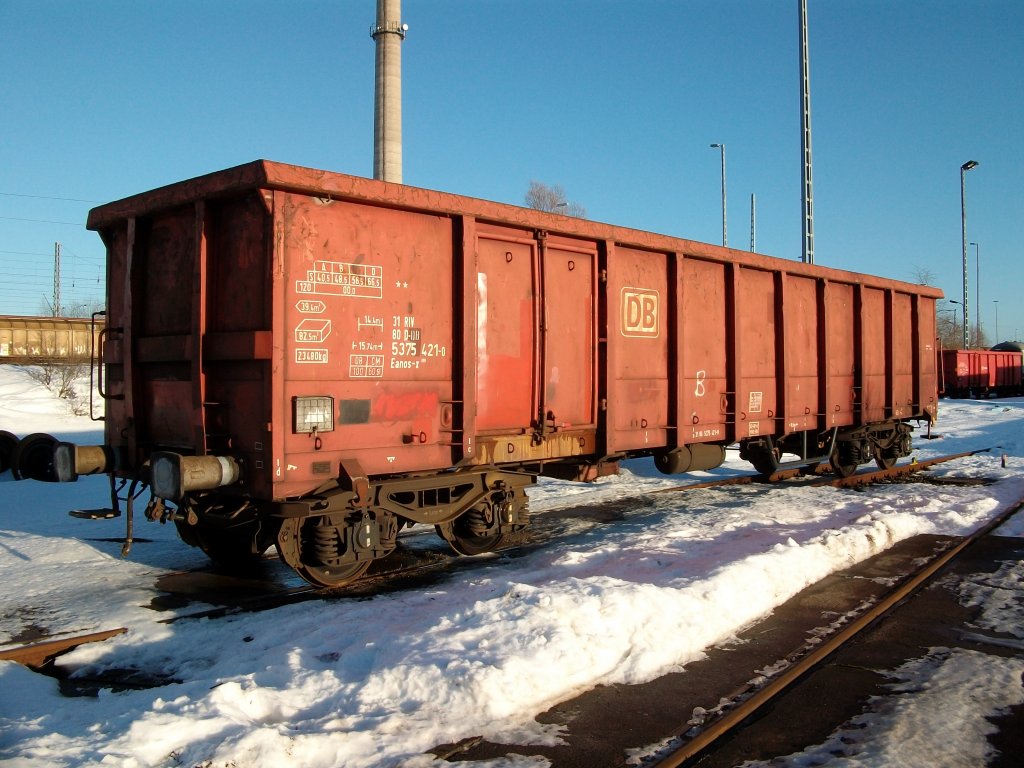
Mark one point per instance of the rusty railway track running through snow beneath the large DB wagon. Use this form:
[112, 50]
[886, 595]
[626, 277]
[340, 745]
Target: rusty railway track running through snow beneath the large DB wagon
[412, 567]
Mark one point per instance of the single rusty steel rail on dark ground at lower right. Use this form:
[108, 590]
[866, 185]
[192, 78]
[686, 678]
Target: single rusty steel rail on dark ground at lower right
[734, 718]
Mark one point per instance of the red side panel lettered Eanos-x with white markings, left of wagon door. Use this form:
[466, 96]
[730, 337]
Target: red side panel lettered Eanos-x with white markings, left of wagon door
[367, 321]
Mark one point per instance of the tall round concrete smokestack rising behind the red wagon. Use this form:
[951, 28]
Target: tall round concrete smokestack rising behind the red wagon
[389, 34]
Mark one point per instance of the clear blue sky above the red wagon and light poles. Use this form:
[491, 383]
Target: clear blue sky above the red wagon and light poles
[617, 102]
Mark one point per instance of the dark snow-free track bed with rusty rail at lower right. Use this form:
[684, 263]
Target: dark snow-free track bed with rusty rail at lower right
[786, 682]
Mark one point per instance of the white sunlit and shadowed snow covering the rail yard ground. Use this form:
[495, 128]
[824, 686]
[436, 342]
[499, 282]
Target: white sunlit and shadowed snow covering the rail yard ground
[379, 681]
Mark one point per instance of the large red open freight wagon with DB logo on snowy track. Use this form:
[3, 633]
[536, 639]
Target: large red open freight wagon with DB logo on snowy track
[310, 360]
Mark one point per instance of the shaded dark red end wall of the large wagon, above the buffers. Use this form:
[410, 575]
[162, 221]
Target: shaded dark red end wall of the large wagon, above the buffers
[189, 330]
